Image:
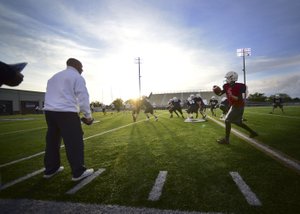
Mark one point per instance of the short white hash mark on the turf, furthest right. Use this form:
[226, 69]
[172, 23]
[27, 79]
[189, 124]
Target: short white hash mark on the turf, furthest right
[245, 189]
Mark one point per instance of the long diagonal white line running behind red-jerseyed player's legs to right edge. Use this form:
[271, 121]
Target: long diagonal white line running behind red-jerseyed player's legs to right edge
[287, 161]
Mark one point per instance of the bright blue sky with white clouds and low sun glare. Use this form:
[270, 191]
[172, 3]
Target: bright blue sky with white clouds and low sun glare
[183, 45]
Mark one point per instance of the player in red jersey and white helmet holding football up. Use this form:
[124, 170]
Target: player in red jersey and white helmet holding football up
[236, 94]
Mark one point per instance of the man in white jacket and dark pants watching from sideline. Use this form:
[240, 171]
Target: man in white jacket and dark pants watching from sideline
[66, 96]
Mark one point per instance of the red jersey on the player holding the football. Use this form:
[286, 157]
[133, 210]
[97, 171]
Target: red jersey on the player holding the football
[236, 89]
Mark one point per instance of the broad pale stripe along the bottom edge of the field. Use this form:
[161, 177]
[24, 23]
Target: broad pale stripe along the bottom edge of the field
[39, 206]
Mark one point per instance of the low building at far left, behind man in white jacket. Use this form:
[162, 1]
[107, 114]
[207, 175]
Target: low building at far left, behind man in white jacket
[14, 101]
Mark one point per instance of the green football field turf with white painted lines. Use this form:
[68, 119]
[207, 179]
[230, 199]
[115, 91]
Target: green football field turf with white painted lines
[165, 165]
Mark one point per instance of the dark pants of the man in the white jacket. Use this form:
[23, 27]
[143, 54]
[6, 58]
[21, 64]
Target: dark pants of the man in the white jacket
[66, 126]
